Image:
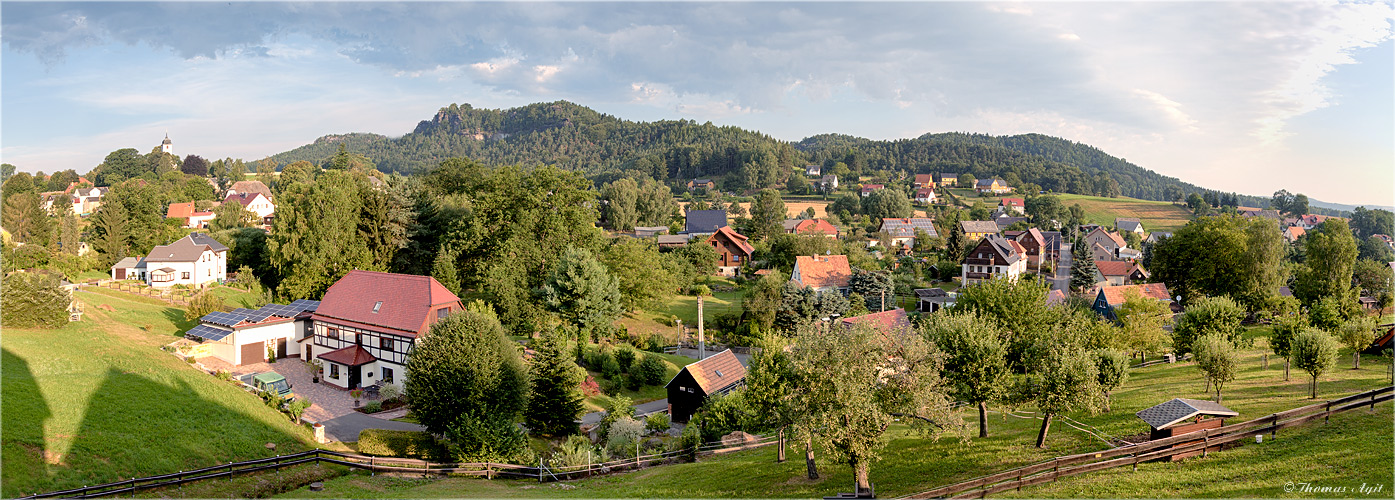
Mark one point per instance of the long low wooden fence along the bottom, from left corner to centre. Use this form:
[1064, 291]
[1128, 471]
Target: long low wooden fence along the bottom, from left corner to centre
[395, 466]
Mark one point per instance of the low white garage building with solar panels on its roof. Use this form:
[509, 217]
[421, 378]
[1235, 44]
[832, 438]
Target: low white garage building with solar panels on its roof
[248, 337]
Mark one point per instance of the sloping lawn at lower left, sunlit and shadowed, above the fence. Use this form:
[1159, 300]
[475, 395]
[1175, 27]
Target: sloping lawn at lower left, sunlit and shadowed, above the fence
[97, 402]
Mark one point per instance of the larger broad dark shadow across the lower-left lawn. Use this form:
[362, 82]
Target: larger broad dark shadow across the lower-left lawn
[136, 427]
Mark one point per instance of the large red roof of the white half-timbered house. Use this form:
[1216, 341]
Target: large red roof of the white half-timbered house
[408, 302]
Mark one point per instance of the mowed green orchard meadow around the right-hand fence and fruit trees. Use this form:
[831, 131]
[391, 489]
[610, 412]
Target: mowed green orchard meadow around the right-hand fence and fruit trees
[1354, 448]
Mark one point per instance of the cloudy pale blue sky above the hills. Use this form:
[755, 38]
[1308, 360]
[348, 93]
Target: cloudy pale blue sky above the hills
[1239, 97]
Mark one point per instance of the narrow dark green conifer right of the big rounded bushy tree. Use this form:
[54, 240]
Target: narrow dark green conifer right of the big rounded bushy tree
[557, 400]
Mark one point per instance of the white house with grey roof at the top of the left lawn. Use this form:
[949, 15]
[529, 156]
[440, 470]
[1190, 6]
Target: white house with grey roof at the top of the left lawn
[192, 260]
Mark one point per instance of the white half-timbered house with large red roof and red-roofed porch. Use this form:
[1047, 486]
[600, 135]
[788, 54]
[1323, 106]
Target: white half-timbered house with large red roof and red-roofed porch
[369, 322]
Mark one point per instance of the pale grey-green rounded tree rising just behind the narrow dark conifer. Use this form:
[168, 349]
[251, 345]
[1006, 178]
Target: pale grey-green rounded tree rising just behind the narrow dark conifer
[582, 291]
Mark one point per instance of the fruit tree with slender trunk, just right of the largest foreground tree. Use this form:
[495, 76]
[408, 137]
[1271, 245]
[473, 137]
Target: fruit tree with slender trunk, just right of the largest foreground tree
[976, 360]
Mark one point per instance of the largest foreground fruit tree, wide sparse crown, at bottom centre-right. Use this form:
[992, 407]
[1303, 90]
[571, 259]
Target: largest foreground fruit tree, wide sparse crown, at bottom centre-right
[854, 383]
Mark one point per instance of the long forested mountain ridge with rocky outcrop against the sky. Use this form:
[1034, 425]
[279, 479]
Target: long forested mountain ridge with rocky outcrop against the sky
[581, 139]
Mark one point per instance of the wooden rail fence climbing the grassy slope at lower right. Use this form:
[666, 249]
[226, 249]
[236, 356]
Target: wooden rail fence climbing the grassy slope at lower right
[1191, 443]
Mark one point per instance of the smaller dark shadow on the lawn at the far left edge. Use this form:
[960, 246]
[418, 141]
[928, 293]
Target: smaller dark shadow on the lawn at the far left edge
[26, 411]
